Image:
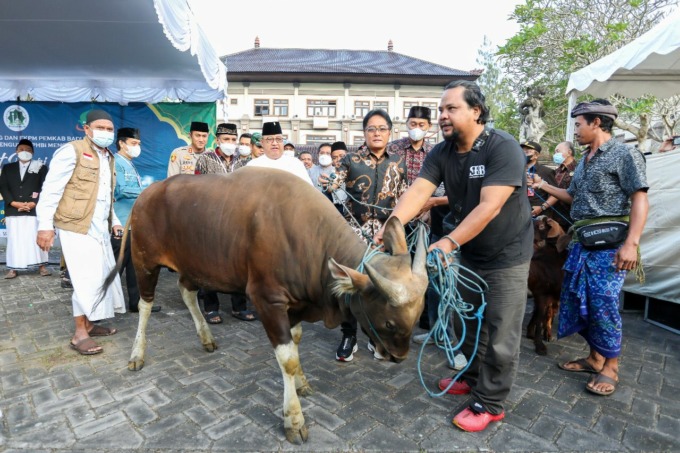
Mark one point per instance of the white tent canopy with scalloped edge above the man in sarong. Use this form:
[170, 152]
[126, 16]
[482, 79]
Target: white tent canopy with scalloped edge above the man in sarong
[648, 65]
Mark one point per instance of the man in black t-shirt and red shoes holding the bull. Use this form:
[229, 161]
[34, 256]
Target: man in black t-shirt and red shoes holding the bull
[483, 171]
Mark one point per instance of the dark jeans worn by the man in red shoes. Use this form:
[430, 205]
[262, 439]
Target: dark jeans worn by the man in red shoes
[493, 370]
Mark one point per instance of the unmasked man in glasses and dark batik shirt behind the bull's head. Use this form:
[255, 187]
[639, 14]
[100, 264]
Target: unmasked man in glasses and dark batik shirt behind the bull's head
[374, 178]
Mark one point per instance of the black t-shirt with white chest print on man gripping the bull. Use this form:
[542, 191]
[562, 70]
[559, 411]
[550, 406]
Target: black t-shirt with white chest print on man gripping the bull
[499, 161]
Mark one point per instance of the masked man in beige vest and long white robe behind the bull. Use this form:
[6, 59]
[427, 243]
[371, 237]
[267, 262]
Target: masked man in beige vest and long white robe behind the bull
[77, 199]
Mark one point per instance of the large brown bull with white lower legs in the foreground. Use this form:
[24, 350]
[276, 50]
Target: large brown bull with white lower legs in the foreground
[272, 236]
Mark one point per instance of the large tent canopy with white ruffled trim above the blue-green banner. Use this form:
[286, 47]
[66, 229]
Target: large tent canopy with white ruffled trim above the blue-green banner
[116, 51]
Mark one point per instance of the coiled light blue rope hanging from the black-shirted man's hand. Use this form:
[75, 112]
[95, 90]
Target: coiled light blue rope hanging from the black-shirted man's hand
[447, 275]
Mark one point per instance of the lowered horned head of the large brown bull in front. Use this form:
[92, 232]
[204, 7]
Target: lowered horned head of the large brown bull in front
[388, 299]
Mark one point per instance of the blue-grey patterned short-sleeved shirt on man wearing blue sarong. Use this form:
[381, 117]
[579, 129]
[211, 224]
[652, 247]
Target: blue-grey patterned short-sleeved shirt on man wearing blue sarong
[603, 186]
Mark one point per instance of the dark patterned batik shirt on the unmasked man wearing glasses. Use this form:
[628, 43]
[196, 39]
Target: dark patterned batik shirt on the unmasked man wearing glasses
[372, 180]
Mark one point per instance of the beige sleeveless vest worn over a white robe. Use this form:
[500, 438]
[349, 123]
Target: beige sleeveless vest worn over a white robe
[76, 207]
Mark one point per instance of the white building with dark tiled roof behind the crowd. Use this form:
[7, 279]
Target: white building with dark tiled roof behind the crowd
[322, 95]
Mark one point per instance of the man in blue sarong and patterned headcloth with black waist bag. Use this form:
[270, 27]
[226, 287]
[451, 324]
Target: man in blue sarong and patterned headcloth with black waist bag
[609, 185]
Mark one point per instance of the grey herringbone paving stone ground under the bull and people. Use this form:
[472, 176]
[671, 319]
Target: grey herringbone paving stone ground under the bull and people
[54, 400]
